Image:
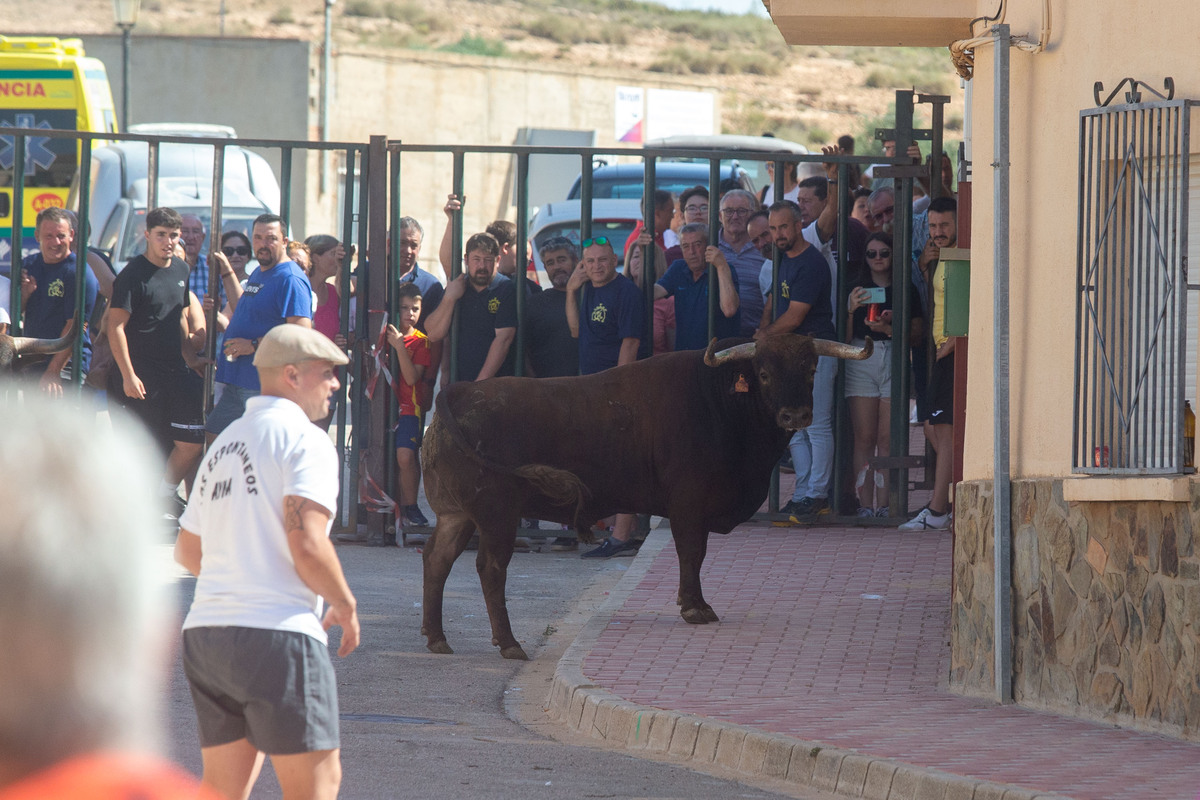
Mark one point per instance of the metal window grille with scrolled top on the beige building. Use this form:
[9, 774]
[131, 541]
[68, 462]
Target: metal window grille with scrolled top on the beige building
[1132, 278]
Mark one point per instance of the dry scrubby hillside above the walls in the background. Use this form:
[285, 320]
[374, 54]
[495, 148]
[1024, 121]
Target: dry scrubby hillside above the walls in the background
[808, 94]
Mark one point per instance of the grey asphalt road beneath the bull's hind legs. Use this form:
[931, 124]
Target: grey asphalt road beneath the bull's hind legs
[416, 725]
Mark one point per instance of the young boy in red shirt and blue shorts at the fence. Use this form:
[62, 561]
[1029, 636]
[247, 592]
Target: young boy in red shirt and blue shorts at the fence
[413, 356]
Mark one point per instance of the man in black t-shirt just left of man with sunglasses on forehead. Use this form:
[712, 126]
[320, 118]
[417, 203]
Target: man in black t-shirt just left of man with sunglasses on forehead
[551, 352]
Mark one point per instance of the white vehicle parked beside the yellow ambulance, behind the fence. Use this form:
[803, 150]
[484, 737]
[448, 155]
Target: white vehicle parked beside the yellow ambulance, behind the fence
[119, 191]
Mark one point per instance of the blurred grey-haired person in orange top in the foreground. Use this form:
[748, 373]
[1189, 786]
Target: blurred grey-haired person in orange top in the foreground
[83, 611]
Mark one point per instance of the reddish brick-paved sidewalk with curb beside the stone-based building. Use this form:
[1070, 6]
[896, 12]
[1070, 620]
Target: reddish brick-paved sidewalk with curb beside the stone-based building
[839, 637]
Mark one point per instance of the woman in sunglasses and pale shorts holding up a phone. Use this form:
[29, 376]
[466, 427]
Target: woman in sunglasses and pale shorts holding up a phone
[869, 383]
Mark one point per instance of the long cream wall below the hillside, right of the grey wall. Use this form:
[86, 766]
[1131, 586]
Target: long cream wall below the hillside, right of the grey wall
[422, 98]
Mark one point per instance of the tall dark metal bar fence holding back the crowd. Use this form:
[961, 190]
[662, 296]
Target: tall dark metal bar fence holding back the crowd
[374, 176]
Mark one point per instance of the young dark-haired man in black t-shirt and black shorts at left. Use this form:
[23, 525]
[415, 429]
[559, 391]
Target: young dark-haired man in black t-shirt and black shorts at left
[148, 324]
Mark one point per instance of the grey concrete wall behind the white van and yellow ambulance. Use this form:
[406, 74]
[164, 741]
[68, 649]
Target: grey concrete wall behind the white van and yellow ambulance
[260, 87]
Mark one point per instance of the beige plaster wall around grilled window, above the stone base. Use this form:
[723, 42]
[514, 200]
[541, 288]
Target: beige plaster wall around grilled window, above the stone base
[1089, 43]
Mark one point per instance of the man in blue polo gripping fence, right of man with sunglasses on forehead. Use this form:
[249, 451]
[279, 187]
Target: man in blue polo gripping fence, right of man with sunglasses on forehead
[687, 281]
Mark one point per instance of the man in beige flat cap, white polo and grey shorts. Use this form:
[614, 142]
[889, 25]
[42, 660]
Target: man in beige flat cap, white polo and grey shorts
[256, 536]
